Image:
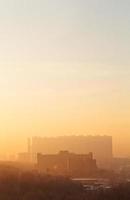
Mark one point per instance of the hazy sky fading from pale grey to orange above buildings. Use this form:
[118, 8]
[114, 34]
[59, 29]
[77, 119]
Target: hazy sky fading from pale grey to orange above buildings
[64, 69]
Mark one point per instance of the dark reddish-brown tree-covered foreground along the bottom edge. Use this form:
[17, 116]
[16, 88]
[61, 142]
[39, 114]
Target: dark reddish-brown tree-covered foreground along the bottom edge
[20, 185]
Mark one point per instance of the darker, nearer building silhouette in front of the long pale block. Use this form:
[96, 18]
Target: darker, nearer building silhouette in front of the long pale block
[65, 163]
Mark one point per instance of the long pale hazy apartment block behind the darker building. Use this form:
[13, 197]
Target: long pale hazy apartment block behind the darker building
[100, 146]
